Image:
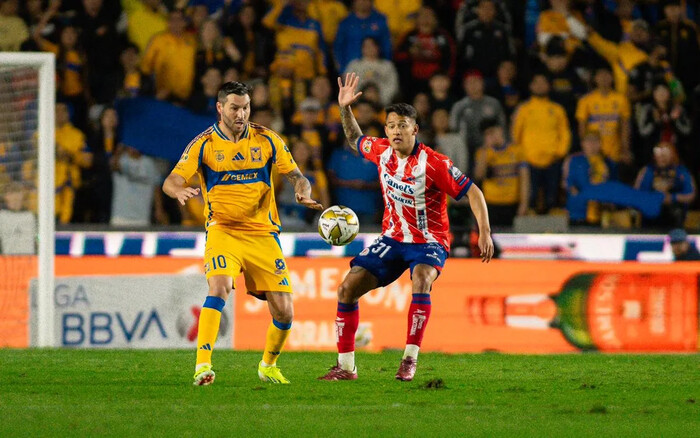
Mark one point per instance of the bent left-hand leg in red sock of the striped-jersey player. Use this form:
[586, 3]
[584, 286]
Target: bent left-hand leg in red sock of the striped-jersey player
[358, 282]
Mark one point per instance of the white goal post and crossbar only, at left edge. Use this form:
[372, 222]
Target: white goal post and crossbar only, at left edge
[45, 63]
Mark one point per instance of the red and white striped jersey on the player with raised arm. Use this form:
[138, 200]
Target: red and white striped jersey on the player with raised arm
[415, 190]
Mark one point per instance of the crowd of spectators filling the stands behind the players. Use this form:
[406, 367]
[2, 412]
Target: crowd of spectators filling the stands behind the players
[580, 107]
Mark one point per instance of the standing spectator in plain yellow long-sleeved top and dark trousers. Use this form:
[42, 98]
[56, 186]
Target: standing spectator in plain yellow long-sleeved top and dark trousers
[541, 128]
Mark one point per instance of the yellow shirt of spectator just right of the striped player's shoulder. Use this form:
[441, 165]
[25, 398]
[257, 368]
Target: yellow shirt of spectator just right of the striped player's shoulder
[502, 183]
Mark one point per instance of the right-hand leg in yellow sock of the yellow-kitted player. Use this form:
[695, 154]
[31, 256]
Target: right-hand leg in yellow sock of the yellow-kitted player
[282, 311]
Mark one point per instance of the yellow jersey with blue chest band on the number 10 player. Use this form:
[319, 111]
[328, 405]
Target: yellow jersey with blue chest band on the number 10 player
[236, 177]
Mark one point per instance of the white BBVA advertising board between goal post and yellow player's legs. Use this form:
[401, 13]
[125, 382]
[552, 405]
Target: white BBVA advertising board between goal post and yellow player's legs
[148, 311]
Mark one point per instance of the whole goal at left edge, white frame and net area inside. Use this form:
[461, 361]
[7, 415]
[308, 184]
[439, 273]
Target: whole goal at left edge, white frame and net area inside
[27, 99]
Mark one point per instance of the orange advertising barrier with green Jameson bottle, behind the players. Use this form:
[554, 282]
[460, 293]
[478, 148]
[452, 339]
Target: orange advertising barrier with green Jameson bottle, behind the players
[626, 306]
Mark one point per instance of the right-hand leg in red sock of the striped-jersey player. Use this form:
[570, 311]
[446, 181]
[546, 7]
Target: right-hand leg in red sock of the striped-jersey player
[422, 279]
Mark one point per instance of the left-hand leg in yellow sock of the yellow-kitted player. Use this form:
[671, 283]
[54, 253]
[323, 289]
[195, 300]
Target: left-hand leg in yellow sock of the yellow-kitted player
[220, 287]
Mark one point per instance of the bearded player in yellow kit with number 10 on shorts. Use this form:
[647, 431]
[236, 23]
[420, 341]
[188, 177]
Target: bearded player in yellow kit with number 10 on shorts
[234, 160]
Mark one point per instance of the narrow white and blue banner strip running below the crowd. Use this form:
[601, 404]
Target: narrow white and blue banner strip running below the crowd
[589, 247]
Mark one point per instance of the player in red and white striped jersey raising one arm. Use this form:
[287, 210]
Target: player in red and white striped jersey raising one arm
[415, 182]
